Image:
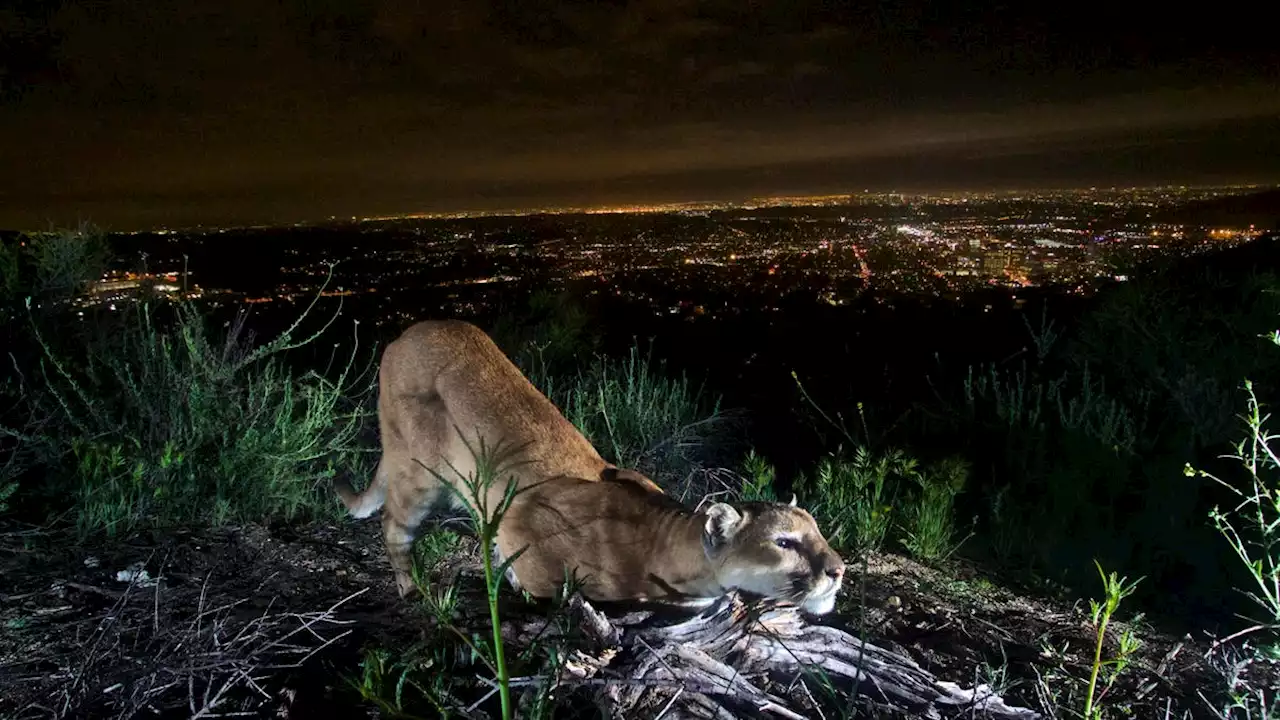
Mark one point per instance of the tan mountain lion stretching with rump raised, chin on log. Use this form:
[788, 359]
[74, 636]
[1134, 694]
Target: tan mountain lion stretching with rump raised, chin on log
[624, 536]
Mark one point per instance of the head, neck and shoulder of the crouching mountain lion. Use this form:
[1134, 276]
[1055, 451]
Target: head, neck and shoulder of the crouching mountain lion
[627, 543]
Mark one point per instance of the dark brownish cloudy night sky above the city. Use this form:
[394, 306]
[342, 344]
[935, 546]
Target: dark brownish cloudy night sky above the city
[143, 113]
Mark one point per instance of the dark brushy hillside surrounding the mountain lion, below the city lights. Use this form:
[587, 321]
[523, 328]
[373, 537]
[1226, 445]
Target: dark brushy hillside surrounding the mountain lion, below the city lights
[977, 485]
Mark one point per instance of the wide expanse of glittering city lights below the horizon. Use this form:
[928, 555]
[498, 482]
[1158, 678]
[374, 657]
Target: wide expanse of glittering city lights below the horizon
[692, 265]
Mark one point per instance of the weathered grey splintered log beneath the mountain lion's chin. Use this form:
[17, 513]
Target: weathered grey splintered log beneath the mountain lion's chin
[744, 660]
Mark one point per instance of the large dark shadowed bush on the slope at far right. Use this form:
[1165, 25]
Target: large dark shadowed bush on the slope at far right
[1080, 449]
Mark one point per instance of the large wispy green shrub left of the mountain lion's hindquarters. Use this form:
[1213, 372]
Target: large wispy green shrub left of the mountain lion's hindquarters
[158, 423]
